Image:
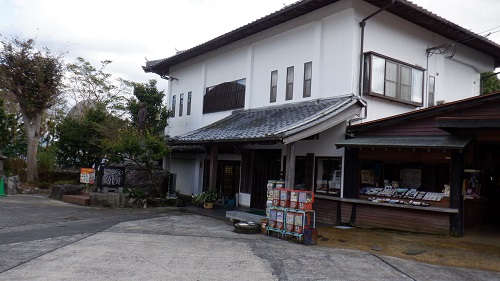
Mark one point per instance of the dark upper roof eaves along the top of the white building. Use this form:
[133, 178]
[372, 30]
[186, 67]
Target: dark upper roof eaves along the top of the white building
[401, 8]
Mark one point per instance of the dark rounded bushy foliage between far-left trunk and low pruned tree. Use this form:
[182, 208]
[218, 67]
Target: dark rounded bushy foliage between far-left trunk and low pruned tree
[80, 137]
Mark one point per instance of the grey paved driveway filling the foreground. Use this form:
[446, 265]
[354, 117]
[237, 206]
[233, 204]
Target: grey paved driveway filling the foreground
[45, 239]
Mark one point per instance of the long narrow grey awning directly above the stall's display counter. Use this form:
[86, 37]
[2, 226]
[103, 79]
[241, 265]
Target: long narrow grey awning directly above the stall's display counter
[432, 142]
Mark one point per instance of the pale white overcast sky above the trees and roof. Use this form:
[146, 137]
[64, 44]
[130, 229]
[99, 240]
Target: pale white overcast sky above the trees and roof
[127, 31]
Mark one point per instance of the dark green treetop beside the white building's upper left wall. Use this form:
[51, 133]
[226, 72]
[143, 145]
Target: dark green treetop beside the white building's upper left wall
[153, 98]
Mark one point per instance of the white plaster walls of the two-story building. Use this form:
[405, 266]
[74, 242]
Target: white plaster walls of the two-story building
[330, 39]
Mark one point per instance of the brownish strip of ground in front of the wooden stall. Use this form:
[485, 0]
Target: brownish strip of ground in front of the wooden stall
[466, 252]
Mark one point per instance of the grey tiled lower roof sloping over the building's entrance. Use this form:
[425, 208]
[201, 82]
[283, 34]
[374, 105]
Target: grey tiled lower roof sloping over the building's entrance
[271, 123]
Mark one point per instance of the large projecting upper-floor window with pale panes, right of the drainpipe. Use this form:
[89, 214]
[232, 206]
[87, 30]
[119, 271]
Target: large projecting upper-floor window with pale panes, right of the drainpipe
[393, 80]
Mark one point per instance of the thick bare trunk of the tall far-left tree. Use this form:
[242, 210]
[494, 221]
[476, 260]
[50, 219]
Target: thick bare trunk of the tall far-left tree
[33, 136]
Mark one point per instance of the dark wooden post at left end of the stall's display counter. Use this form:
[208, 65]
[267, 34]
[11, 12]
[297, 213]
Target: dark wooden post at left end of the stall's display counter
[352, 171]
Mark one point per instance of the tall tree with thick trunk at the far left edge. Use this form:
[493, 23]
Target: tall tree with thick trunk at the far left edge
[33, 78]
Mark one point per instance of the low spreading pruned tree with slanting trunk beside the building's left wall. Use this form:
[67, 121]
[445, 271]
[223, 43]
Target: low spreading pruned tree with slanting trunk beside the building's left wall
[144, 149]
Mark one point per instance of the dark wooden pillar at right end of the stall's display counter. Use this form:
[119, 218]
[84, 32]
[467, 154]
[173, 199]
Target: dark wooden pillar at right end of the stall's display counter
[456, 193]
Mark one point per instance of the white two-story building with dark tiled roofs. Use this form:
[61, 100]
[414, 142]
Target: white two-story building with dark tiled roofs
[269, 100]
